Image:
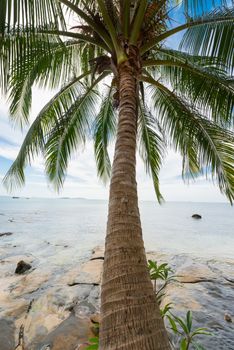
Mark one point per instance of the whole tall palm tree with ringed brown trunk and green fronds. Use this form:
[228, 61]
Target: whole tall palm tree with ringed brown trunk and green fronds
[113, 59]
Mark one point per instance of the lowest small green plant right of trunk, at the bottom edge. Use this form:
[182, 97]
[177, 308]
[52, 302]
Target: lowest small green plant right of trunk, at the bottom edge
[184, 329]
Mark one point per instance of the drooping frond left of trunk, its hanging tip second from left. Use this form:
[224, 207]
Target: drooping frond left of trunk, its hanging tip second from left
[69, 133]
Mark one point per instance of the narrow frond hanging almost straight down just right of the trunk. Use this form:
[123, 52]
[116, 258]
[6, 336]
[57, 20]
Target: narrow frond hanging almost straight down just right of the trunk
[151, 146]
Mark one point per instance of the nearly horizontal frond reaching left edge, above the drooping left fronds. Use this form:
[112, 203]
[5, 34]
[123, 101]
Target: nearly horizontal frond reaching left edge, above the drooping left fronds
[25, 50]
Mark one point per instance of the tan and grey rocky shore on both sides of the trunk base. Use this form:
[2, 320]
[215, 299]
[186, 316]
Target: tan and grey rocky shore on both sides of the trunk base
[58, 311]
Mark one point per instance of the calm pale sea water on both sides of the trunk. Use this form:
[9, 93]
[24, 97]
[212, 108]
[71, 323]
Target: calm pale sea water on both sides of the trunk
[59, 231]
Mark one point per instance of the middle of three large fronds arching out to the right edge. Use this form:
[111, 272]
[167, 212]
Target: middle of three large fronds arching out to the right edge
[206, 86]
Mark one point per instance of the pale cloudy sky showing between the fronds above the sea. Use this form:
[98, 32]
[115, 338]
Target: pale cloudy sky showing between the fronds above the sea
[82, 178]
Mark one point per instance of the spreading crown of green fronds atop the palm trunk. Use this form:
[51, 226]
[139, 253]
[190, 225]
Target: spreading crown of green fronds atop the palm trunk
[186, 96]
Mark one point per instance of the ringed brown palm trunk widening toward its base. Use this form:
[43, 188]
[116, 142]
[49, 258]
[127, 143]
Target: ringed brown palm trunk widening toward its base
[130, 314]
